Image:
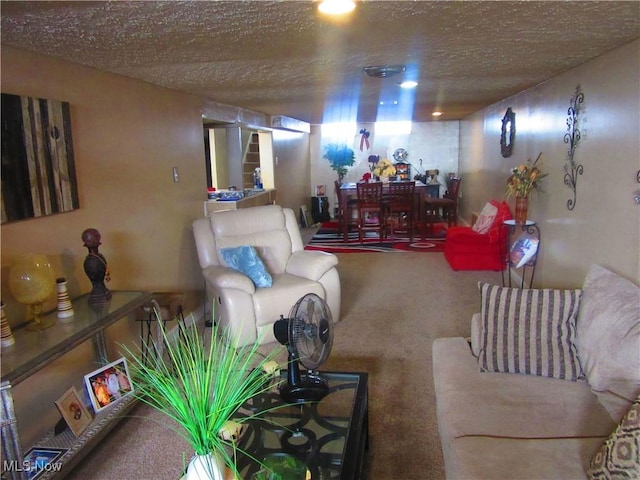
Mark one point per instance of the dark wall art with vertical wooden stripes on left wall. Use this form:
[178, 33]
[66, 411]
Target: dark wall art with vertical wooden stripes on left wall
[38, 169]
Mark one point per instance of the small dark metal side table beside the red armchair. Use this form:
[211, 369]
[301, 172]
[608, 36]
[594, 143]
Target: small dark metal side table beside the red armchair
[522, 247]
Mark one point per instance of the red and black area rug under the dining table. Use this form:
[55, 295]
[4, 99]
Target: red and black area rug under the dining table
[329, 239]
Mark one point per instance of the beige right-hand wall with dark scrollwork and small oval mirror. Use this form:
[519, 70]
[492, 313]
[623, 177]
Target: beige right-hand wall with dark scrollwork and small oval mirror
[604, 226]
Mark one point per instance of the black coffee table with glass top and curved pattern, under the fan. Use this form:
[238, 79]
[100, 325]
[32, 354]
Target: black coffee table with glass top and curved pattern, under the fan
[329, 436]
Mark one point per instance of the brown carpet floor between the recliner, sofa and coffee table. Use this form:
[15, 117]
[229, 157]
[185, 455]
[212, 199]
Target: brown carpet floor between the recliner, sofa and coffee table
[391, 313]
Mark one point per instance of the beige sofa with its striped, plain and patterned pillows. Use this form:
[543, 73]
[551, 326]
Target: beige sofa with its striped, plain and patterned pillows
[497, 424]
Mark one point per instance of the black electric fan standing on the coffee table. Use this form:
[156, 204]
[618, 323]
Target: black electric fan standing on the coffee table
[308, 336]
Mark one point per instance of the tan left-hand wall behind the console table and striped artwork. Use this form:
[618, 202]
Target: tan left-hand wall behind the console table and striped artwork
[127, 136]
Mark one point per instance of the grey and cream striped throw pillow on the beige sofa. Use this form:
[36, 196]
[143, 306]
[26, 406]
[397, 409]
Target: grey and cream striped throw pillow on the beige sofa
[529, 331]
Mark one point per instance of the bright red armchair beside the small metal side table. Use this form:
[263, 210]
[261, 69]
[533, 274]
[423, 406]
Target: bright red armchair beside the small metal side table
[465, 249]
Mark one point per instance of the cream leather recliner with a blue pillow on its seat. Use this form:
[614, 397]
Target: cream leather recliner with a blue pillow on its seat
[242, 310]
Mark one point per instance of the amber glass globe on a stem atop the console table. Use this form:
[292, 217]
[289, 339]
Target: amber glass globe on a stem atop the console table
[32, 281]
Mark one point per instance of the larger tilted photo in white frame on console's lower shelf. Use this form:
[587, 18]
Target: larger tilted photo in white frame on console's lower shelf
[108, 384]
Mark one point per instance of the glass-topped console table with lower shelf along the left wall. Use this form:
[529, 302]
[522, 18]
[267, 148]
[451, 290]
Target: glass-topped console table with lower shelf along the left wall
[33, 351]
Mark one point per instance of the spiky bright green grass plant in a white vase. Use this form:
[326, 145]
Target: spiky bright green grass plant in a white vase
[200, 382]
